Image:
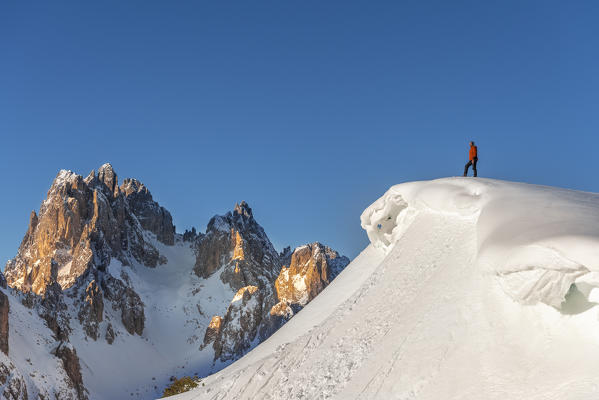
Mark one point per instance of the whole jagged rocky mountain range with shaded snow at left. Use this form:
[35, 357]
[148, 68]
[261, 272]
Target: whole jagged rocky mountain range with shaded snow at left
[104, 300]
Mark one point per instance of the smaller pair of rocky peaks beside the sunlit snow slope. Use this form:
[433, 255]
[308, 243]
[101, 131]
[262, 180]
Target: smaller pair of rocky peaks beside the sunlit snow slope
[238, 247]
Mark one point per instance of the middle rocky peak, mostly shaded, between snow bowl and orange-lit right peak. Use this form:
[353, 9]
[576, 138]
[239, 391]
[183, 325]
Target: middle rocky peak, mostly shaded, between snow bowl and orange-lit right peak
[237, 246]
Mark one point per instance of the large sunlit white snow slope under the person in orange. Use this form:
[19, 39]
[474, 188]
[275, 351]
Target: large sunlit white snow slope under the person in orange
[471, 289]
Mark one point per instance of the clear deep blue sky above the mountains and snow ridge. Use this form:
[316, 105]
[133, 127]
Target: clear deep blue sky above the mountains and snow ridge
[308, 110]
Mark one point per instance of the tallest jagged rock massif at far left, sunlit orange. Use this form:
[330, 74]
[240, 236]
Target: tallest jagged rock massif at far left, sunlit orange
[82, 224]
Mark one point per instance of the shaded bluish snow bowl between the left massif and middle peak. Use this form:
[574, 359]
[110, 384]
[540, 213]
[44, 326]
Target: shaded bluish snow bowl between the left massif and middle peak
[140, 366]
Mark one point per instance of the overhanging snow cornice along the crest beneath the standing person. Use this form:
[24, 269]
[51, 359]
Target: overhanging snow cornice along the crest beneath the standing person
[539, 240]
